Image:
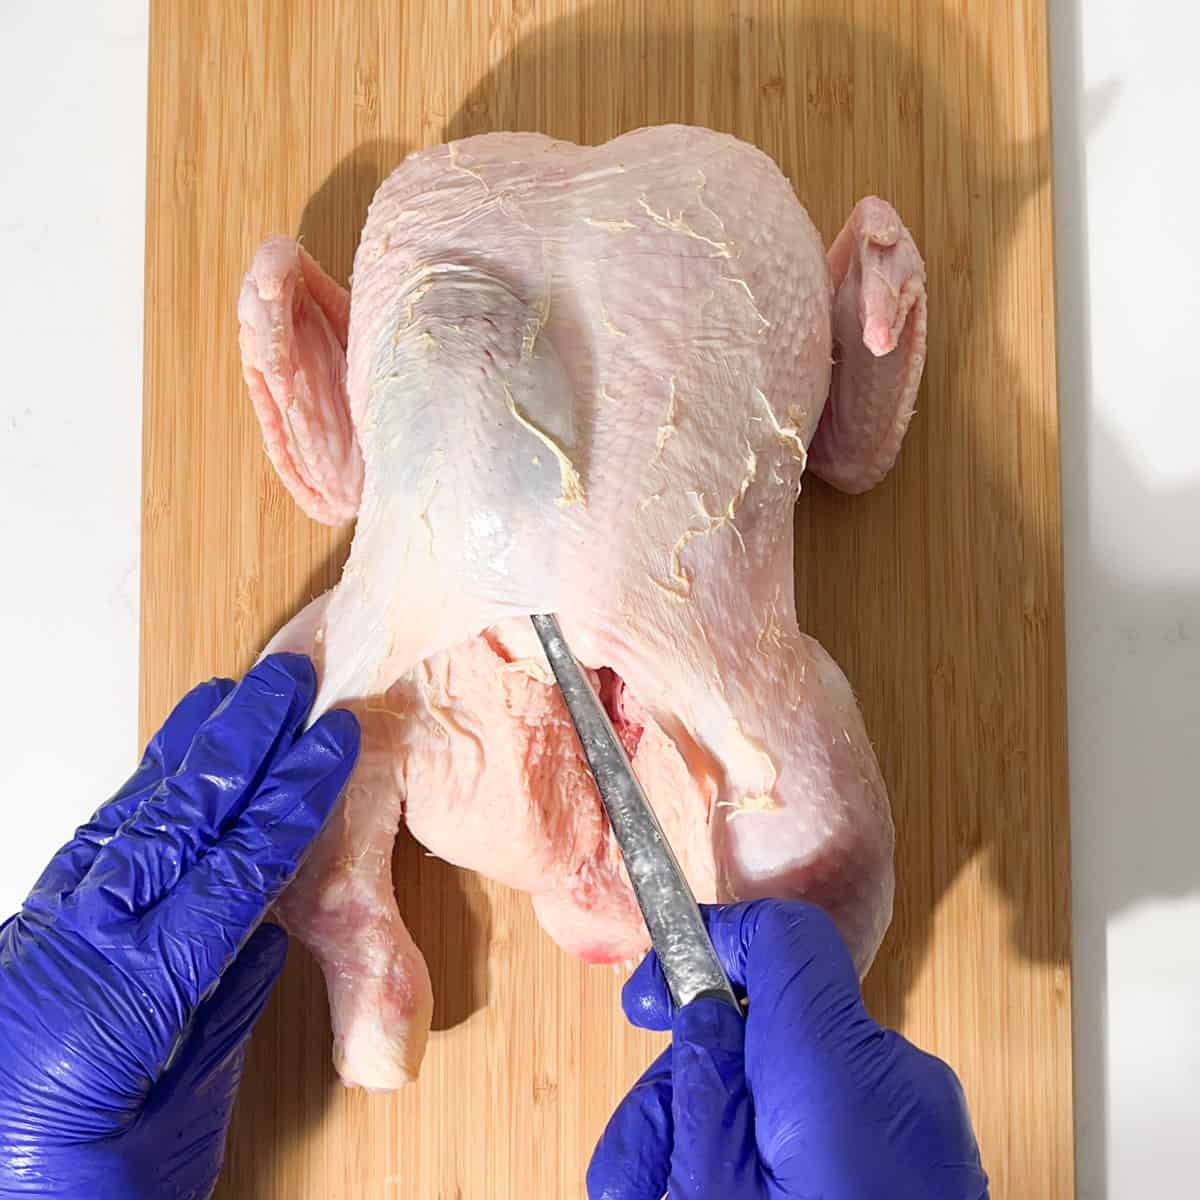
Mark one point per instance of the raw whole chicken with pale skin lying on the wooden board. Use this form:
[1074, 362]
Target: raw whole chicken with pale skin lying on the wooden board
[586, 381]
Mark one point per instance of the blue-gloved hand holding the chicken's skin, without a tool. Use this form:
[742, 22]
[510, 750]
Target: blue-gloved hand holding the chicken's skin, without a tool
[134, 975]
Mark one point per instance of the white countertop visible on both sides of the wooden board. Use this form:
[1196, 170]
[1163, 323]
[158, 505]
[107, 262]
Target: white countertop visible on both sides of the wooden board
[1126, 99]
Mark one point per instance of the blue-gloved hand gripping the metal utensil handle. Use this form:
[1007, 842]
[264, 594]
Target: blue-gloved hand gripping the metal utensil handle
[807, 1097]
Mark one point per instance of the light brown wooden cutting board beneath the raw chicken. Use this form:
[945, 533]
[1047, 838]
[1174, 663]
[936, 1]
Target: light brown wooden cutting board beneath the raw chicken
[940, 593]
